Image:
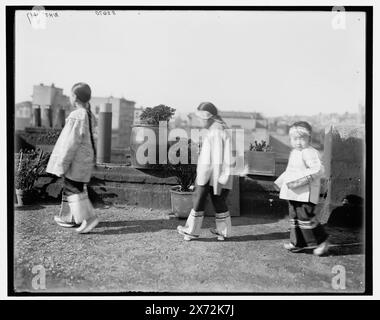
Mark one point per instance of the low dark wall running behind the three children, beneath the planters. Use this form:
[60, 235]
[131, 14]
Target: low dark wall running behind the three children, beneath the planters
[122, 184]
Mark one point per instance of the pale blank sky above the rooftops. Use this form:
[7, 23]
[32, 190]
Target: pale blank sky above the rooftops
[275, 63]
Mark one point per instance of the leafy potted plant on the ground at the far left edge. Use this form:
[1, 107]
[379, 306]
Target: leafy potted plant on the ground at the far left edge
[29, 166]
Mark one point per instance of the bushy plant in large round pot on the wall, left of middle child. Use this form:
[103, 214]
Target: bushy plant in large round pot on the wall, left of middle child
[145, 136]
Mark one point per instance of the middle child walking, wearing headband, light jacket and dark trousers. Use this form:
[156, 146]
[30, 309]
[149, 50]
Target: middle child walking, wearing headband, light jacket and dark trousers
[213, 176]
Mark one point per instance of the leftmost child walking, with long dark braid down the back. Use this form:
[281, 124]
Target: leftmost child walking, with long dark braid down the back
[73, 158]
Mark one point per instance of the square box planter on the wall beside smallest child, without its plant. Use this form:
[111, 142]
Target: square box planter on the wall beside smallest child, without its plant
[260, 163]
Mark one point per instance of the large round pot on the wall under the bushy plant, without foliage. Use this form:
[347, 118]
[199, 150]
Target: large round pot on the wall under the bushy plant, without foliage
[144, 139]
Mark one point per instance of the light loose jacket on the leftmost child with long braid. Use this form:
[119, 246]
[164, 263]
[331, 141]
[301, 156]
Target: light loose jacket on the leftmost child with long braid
[73, 155]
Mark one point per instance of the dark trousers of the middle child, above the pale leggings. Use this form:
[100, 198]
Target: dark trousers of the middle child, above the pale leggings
[218, 201]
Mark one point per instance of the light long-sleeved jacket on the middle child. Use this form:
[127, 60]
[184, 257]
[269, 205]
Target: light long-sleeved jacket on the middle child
[215, 159]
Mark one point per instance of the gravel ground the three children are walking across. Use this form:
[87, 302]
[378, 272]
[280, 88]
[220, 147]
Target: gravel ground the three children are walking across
[138, 250]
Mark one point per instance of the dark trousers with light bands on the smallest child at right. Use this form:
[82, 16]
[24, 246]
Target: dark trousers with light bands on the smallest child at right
[305, 231]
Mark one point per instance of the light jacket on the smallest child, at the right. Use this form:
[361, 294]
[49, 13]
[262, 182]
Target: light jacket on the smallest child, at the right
[302, 163]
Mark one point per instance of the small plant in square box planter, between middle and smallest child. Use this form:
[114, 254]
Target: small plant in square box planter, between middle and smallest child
[260, 160]
